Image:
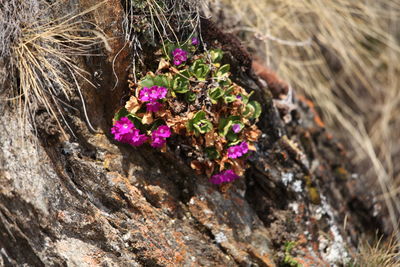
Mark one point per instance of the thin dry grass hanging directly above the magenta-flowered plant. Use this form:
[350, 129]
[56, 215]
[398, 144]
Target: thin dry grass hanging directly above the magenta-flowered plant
[154, 21]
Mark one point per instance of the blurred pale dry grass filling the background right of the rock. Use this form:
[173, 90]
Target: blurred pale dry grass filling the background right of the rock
[345, 55]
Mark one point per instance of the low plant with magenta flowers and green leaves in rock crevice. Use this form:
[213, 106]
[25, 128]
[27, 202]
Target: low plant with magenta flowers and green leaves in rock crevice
[191, 102]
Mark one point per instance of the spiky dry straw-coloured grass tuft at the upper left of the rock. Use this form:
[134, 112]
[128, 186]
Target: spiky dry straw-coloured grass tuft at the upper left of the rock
[42, 46]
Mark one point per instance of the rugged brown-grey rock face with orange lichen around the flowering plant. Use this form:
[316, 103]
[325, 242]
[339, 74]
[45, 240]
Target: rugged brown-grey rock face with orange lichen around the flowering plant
[88, 201]
